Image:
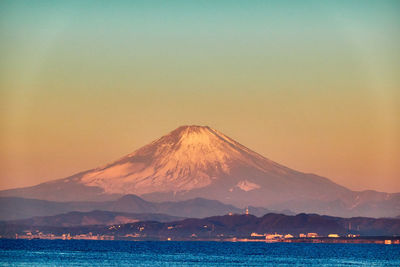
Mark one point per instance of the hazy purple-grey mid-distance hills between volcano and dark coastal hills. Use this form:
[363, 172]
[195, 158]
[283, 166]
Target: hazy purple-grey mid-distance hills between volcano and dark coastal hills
[14, 208]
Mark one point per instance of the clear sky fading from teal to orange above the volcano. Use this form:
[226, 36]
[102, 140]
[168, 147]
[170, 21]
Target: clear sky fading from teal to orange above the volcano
[312, 85]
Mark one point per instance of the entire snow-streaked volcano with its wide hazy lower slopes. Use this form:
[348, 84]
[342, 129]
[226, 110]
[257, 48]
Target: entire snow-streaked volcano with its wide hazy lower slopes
[198, 161]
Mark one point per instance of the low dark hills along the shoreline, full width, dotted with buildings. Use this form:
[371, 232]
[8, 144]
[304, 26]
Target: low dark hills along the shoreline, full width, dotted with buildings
[227, 226]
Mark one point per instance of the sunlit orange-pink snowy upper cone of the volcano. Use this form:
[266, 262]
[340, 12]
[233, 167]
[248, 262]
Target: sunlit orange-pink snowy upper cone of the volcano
[187, 158]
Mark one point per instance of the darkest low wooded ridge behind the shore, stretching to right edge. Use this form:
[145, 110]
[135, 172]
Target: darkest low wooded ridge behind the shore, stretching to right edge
[244, 225]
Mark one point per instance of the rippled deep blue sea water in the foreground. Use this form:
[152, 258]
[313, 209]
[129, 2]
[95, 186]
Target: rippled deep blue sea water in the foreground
[128, 253]
